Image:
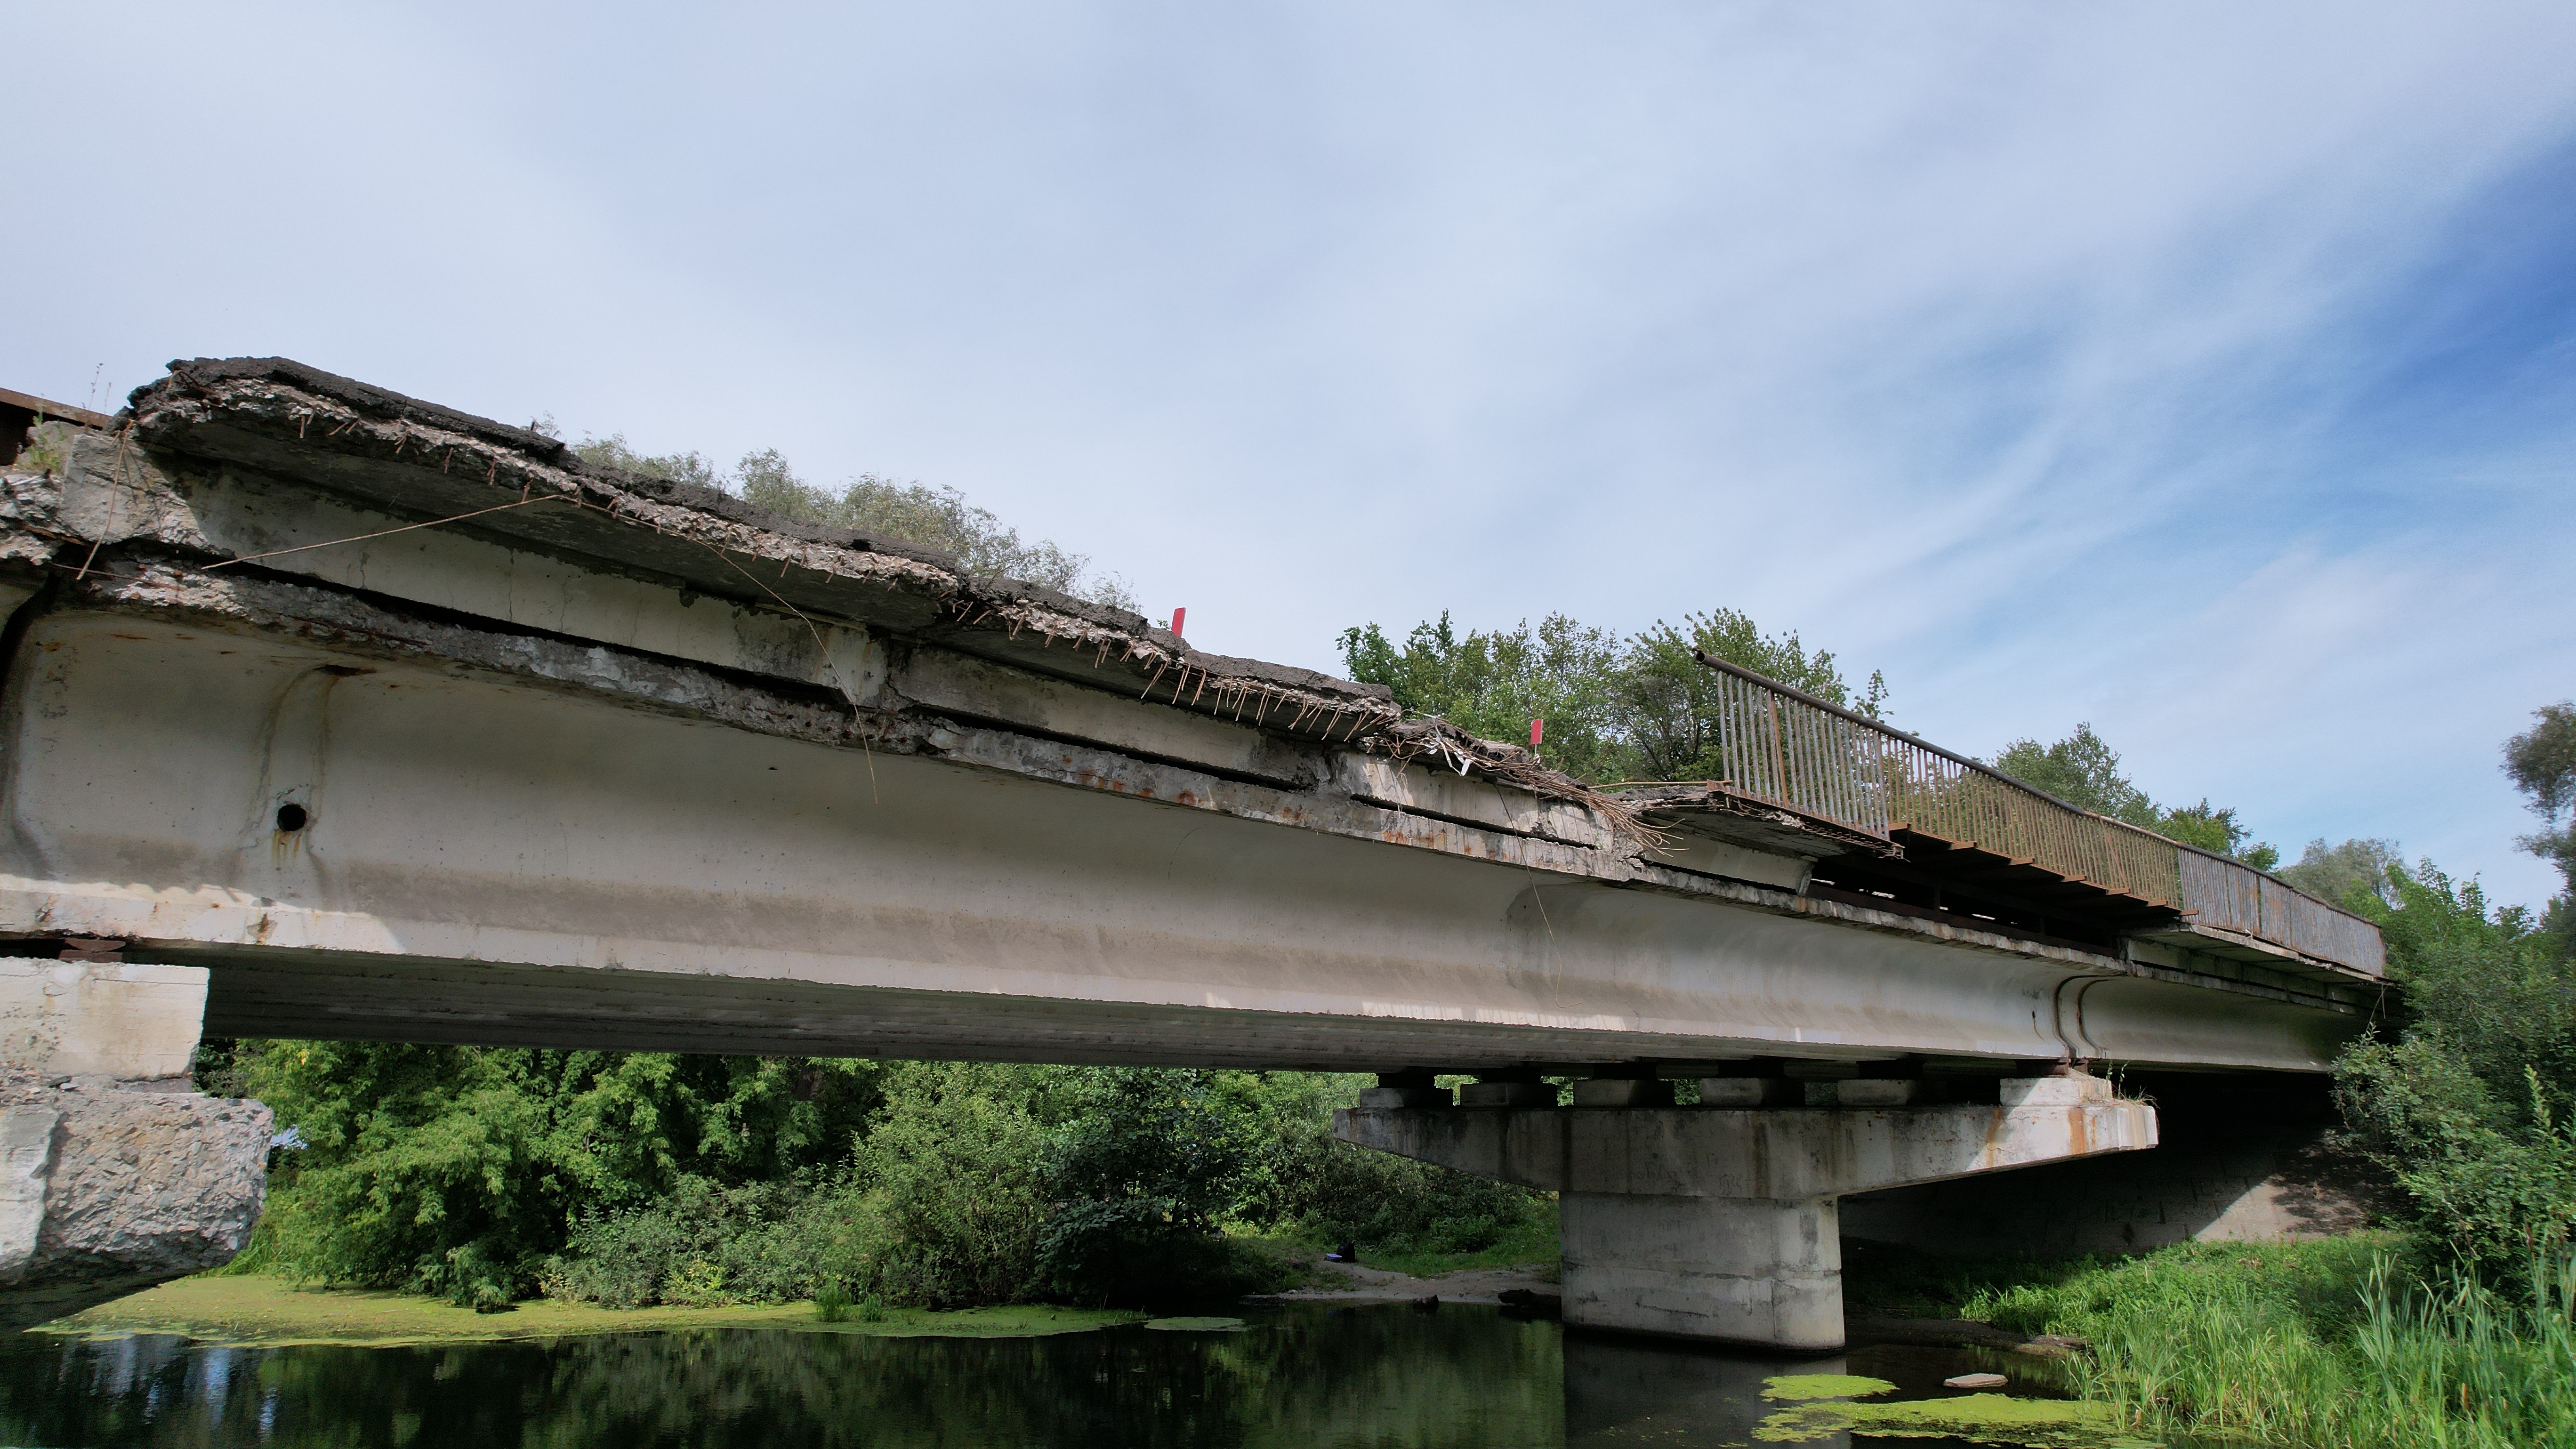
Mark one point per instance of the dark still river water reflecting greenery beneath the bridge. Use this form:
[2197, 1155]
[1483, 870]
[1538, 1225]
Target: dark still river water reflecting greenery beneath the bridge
[1307, 1376]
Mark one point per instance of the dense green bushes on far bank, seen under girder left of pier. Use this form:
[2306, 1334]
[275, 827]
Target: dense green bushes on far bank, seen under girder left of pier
[699, 1182]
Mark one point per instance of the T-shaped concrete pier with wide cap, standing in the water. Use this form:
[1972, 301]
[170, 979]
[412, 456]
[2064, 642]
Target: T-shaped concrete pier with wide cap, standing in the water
[1725, 1223]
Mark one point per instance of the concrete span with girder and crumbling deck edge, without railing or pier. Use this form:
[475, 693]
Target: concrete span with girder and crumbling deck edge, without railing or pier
[413, 726]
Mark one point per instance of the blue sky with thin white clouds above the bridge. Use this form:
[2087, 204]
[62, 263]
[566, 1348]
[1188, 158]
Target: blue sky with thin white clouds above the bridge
[2206, 373]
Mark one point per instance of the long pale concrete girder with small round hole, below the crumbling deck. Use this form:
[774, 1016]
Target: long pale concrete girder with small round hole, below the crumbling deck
[486, 860]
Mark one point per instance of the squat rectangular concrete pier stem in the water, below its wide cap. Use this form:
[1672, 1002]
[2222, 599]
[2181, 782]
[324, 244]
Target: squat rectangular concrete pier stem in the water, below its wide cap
[1701, 1267]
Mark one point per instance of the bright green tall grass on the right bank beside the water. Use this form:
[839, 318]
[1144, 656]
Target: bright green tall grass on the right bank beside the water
[2333, 1345]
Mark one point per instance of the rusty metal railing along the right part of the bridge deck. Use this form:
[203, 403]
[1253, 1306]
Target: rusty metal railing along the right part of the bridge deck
[1815, 757]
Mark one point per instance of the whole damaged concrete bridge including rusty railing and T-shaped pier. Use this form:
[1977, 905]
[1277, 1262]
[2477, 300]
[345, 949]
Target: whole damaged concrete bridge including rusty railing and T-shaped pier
[349, 715]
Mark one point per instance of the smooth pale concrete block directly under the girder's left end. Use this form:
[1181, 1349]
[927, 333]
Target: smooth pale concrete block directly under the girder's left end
[109, 1020]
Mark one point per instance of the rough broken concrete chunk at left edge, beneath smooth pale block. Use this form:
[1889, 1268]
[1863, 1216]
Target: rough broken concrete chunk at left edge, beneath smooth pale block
[107, 1192]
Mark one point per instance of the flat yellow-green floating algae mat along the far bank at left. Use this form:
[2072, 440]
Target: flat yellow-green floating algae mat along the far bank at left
[259, 1311]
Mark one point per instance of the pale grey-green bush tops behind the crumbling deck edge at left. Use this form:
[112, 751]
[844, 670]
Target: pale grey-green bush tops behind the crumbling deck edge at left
[911, 512]
